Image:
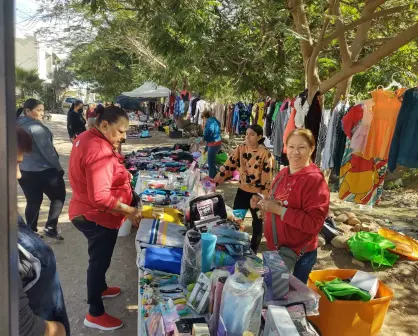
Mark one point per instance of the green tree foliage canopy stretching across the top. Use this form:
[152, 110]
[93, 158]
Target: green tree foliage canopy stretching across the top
[225, 50]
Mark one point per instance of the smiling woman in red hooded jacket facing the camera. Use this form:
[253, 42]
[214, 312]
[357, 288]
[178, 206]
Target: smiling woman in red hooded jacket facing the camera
[299, 202]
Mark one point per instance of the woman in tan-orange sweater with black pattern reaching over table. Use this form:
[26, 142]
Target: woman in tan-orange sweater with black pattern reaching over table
[255, 165]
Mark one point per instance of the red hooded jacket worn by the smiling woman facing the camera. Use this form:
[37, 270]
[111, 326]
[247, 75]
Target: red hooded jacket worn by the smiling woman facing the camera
[305, 197]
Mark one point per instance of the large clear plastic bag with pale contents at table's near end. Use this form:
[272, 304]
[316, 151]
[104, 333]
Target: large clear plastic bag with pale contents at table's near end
[241, 305]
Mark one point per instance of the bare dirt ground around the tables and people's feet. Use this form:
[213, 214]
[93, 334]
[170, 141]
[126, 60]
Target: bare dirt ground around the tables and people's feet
[71, 254]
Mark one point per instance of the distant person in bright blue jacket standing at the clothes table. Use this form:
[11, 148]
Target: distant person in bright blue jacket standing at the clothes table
[212, 137]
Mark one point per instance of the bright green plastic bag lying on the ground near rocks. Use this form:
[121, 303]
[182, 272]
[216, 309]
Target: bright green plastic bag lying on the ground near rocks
[370, 246]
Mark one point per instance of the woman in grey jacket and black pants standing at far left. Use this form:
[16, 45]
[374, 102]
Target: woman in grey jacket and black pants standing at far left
[41, 170]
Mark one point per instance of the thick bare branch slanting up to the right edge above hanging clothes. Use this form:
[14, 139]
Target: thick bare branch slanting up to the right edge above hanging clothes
[368, 61]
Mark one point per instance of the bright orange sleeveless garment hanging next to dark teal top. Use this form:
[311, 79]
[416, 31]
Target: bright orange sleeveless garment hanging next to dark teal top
[385, 114]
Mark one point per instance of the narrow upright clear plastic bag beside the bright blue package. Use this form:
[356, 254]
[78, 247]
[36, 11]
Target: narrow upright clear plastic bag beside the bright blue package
[191, 262]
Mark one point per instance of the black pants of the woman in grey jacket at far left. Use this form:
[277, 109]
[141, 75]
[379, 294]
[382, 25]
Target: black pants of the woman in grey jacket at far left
[34, 185]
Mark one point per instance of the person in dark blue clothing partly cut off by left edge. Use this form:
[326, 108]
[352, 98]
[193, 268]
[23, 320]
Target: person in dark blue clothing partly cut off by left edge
[41, 301]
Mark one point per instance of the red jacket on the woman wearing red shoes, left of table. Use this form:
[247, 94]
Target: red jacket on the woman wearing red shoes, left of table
[98, 179]
